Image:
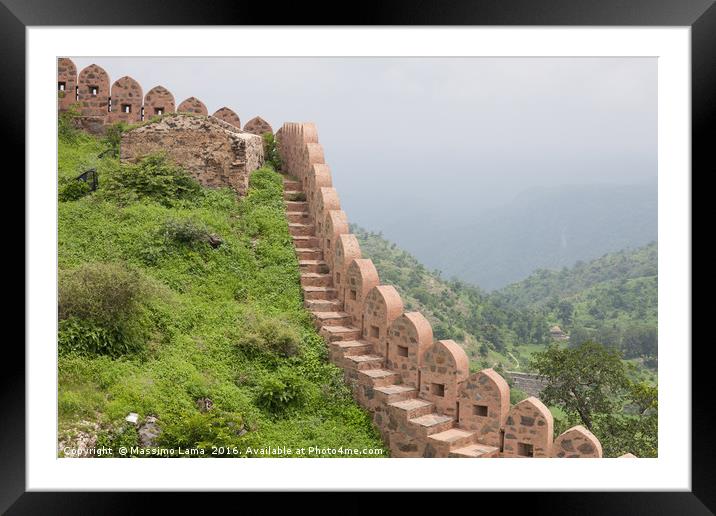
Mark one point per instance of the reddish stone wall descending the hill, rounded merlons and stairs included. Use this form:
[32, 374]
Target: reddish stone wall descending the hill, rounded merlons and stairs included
[423, 399]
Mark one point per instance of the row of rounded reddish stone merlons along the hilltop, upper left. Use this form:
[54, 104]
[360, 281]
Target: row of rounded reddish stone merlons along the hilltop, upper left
[98, 104]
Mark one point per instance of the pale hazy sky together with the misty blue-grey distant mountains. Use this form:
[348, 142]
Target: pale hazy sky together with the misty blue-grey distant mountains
[485, 168]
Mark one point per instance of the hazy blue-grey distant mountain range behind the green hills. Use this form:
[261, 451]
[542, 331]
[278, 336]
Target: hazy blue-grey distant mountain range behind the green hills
[541, 228]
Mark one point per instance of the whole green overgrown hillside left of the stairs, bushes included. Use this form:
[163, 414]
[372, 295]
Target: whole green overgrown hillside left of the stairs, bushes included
[183, 303]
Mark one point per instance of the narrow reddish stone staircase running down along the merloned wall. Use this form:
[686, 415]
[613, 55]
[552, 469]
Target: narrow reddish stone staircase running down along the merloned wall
[375, 387]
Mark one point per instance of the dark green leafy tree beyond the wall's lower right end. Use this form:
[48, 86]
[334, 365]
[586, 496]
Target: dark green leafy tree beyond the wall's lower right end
[584, 380]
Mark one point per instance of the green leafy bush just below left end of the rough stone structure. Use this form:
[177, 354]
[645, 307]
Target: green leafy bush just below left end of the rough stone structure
[154, 178]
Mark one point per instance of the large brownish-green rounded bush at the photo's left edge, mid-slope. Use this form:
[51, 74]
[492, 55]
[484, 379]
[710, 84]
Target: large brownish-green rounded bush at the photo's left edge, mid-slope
[101, 309]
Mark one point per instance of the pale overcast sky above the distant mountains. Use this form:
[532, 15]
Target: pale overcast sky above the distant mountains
[437, 137]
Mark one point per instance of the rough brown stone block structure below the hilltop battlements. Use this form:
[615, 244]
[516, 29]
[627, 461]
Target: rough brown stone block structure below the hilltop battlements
[214, 152]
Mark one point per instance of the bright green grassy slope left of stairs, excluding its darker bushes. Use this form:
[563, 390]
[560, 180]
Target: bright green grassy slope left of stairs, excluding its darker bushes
[211, 297]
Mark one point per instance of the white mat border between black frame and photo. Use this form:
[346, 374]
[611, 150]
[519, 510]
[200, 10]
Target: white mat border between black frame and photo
[670, 471]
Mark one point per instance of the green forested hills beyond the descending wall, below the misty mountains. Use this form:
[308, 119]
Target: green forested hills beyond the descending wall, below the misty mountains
[611, 300]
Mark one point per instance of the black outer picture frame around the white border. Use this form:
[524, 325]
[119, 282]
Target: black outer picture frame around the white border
[700, 15]
